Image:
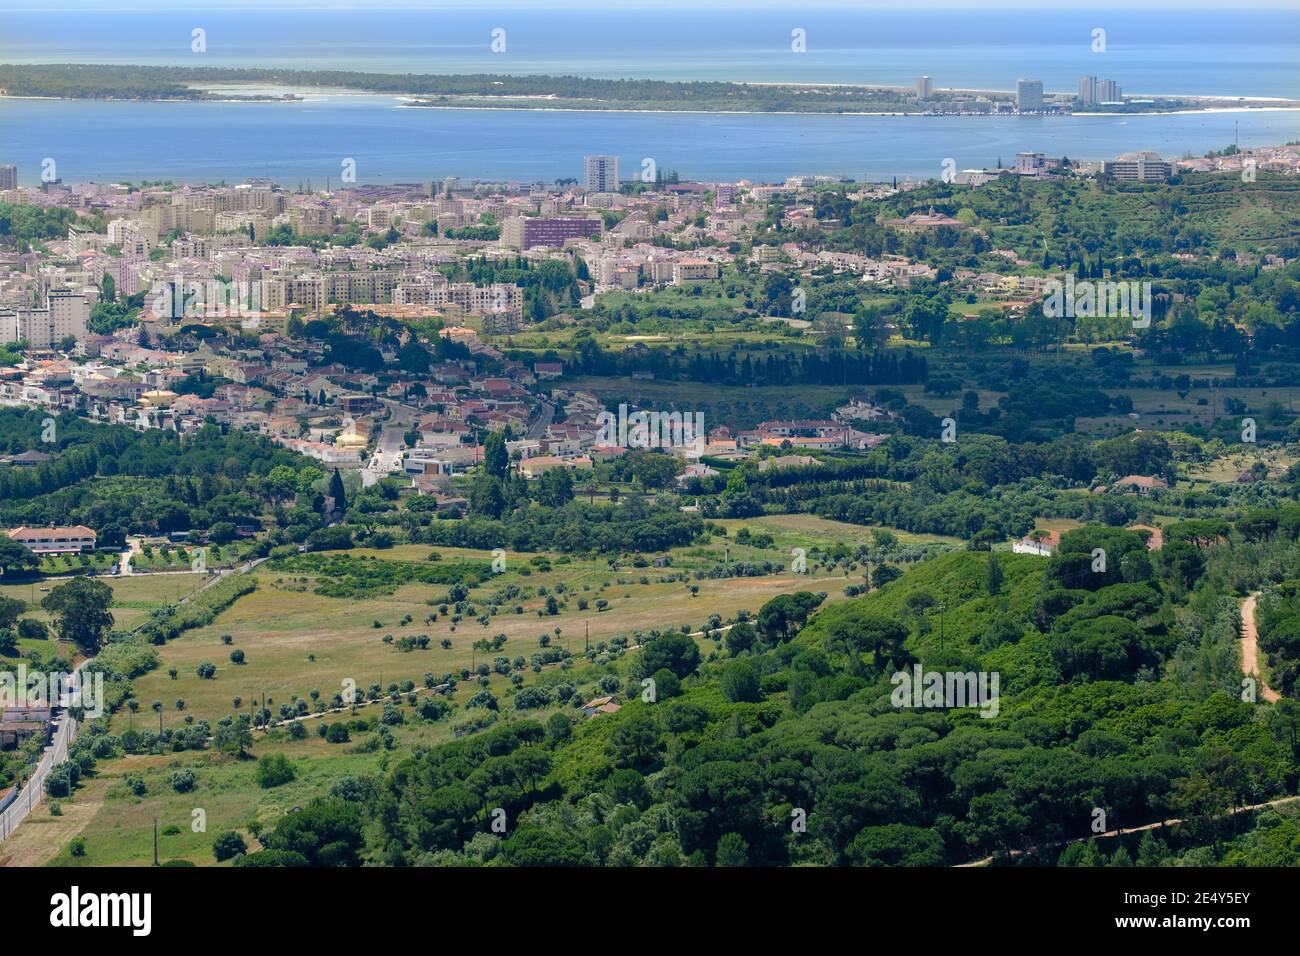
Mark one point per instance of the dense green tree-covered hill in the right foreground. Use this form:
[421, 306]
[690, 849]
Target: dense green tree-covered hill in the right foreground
[791, 752]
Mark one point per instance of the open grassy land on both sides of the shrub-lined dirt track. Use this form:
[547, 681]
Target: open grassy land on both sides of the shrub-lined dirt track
[297, 642]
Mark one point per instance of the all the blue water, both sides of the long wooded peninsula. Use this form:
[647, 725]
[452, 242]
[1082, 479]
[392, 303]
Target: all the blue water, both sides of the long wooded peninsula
[1230, 54]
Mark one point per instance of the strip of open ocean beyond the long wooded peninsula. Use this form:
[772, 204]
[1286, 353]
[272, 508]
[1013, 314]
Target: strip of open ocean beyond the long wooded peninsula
[1164, 53]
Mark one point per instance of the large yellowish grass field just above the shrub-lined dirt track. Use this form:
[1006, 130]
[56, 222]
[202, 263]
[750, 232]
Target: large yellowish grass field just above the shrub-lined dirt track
[297, 642]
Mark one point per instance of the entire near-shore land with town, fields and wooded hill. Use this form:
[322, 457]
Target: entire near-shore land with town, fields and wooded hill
[538, 513]
